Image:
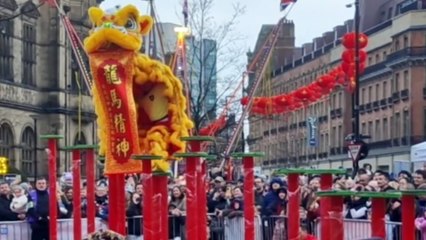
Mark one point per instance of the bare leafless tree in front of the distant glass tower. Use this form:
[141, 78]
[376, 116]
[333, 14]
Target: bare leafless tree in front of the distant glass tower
[215, 60]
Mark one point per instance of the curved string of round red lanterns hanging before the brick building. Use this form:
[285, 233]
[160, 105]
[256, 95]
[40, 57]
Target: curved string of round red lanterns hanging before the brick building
[342, 75]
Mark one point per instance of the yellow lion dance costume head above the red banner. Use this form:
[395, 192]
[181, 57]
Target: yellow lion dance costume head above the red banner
[121, 29]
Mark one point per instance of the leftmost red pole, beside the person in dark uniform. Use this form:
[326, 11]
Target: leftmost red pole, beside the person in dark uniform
[53, 211]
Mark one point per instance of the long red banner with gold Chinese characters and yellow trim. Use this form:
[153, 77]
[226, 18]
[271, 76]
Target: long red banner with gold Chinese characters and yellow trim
[113, 80]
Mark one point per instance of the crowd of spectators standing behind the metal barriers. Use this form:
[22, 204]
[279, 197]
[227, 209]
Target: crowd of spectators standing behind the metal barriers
[23, 201]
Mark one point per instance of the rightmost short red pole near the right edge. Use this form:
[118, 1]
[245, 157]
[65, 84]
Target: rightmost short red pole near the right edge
[408, 216]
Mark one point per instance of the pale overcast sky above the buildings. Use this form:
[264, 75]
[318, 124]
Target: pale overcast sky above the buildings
[328, 13]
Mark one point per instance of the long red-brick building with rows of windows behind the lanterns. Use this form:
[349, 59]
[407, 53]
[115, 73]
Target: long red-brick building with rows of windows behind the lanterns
[392, 98]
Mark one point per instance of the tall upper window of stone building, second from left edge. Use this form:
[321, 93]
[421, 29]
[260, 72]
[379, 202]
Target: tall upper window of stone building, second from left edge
[28, 54]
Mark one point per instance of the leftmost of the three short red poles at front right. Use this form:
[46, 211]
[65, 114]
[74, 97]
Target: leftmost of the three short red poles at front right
[335, 218]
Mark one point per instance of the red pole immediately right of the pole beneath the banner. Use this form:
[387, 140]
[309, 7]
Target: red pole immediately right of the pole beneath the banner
[147, 200]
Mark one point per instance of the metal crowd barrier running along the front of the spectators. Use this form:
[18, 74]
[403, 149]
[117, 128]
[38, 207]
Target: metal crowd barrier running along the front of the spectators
[266, 228]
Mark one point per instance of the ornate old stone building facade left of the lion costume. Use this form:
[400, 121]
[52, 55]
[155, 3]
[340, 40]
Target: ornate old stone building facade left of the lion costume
[39, 93]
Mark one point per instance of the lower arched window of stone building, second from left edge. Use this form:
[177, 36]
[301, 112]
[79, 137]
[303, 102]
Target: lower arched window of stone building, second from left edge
[28, 152]
